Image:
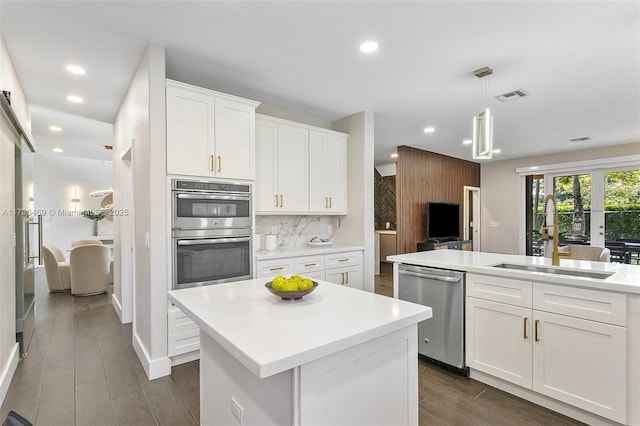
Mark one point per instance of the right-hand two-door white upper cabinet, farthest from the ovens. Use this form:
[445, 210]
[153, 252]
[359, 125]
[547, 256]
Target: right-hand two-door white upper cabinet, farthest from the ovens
[327, 172]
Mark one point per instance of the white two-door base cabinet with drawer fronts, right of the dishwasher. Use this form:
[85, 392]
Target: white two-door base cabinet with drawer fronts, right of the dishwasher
[576, 358]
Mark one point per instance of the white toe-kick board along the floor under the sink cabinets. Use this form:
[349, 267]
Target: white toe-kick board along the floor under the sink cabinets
[536, 398]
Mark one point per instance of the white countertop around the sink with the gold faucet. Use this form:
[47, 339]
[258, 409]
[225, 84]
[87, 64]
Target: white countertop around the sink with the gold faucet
[626, 278]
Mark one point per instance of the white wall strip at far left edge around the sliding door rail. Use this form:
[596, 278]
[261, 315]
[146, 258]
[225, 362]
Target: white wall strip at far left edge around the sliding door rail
[8, 345]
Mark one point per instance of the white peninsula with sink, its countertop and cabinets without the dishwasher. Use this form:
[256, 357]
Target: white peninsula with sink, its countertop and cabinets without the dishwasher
[566, 337]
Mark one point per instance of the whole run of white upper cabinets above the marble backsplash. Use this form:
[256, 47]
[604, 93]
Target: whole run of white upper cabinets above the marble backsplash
[299, 168]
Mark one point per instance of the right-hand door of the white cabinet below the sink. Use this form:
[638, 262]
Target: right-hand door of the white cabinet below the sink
[582, 363]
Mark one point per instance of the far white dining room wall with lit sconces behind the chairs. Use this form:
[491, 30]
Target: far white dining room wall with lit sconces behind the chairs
[55, 180]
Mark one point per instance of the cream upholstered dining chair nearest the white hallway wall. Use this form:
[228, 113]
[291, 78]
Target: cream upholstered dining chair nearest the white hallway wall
[90, 266]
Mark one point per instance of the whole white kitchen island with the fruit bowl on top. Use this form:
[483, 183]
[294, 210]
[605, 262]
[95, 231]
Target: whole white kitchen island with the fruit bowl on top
[337, 356]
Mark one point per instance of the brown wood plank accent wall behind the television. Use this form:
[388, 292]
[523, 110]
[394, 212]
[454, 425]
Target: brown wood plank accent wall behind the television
[423, 176]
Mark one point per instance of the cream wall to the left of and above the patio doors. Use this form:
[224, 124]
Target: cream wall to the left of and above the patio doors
[502, 194]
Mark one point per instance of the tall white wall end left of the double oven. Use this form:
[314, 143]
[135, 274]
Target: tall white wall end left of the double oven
[140, 124]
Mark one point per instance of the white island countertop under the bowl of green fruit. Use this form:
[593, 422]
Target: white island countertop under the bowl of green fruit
[269, 335]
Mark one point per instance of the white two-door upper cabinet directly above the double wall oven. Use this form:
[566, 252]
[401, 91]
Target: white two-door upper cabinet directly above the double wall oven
[209, 133]
